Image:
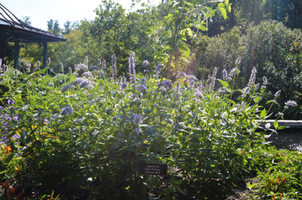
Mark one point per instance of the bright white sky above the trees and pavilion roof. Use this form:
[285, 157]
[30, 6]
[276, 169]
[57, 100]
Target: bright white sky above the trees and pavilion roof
[41, 11]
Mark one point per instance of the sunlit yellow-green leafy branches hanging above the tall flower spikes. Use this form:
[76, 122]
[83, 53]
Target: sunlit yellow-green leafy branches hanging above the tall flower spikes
[187, 19]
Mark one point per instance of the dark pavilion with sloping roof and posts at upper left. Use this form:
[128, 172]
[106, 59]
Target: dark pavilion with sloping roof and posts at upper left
[14, 30]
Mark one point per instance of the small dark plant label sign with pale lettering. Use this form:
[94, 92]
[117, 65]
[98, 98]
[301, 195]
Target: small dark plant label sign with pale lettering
[152, 169]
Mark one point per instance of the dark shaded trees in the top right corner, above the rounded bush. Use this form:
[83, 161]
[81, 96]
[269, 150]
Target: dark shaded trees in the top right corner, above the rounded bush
[255, 11]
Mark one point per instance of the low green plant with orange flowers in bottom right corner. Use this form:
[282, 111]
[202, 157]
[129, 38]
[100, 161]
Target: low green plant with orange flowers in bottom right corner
[279, 172]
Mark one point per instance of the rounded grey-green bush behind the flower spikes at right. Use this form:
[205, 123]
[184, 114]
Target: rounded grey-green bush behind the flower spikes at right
[274, 49]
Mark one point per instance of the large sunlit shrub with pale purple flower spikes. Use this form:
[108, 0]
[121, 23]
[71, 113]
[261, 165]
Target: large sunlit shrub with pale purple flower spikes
[86, 139]
